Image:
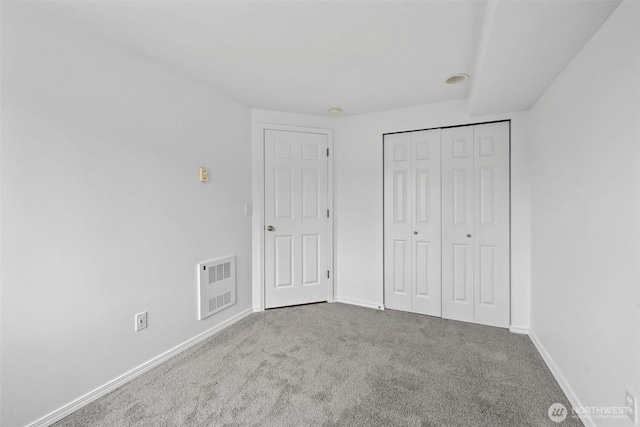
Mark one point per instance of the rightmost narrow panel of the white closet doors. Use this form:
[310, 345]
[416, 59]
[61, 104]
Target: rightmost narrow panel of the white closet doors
[491, 224]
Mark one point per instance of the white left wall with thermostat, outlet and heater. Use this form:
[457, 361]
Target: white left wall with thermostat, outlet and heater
[102, 212]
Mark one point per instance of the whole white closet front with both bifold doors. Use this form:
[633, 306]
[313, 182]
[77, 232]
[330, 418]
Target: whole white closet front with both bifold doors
[446, 222]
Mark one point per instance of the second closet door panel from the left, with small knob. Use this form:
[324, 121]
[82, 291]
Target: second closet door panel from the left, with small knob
[426, 209]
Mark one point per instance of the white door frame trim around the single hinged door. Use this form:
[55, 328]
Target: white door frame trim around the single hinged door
[258, 197]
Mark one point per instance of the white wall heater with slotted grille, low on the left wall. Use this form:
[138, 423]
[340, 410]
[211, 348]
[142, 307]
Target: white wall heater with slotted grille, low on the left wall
[216, 286]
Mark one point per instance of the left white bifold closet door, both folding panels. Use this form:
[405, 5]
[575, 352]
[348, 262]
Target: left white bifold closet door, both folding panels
[412, 222]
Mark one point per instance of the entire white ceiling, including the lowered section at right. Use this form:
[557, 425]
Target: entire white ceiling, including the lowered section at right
[361, 56]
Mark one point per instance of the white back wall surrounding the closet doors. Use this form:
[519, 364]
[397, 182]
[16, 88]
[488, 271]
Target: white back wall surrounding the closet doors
[359, 204]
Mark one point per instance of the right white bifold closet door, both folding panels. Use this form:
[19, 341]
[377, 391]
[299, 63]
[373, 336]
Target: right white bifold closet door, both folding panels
[475, 223]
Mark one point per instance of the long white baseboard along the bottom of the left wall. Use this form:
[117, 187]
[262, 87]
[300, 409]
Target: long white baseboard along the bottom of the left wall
[69, 408]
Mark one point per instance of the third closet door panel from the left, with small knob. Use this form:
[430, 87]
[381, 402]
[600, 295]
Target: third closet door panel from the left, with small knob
[457, 223]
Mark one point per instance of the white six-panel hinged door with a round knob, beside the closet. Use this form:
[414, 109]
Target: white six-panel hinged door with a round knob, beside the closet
[296, 218]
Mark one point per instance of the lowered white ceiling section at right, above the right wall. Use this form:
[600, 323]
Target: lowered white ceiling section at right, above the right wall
[526, 45]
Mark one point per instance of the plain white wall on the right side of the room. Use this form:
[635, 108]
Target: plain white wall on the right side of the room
[585, 141]
